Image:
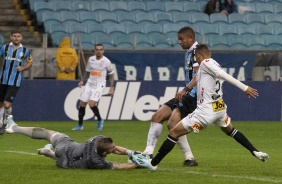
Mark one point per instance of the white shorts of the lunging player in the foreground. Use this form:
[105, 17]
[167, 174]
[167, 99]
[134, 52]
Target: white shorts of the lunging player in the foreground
[197, 120]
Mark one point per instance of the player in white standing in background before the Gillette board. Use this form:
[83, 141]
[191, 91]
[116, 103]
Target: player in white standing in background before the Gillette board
[98, 67]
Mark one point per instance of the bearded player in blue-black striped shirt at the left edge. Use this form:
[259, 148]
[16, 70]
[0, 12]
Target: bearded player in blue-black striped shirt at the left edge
[16, 58]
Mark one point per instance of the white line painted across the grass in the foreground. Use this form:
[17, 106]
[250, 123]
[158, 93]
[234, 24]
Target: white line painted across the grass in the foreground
[252, 178]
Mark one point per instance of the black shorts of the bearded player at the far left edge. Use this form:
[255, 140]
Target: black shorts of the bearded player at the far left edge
[8, 93]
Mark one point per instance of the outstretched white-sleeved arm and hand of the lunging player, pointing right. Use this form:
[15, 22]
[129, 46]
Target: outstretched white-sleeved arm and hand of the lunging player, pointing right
[251, 92]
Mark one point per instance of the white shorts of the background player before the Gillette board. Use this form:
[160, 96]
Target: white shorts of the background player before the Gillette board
[92, 91]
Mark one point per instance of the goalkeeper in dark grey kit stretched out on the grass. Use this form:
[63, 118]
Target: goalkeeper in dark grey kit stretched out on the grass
[69, 154]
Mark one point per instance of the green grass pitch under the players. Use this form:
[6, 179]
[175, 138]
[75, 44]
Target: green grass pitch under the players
[221, 159]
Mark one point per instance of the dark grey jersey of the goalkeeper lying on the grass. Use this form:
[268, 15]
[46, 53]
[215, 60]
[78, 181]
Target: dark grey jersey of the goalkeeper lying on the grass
[81, 156]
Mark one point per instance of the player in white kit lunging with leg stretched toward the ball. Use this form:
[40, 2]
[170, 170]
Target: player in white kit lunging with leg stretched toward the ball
[211, 109]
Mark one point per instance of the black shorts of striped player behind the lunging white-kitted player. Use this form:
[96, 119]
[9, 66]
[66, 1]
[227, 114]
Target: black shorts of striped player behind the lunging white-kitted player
[186, 106]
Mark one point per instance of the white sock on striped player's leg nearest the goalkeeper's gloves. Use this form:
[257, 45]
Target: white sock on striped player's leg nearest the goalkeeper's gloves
[153, 135]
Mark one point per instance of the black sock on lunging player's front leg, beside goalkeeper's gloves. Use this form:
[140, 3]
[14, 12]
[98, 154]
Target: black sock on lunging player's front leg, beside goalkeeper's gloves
[166, 147]
